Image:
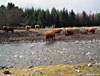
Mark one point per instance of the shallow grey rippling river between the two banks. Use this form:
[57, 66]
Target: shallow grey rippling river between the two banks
[42, 53]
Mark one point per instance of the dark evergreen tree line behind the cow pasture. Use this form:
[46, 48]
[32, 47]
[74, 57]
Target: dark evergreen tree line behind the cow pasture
[12, 15]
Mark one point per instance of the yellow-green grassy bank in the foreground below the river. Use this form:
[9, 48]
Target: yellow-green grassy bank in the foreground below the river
[83, 69]
